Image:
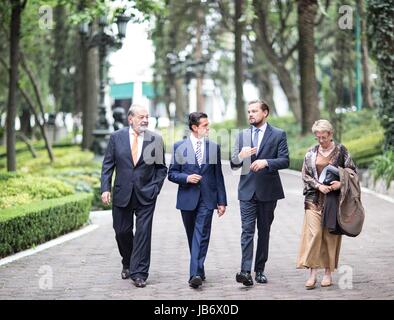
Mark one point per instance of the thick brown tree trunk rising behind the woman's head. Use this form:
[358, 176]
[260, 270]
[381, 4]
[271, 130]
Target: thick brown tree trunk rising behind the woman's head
[309, 100]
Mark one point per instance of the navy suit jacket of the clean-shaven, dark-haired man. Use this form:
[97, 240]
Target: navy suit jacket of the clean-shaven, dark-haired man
[211, 187]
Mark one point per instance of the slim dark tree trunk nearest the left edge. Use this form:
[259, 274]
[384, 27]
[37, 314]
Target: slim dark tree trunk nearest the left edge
[15, 25]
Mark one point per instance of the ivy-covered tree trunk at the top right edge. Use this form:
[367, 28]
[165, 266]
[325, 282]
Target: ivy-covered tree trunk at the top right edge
[380, 18]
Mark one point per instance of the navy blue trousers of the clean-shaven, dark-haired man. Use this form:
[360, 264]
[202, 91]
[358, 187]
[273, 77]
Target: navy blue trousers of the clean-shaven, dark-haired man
[198, 230]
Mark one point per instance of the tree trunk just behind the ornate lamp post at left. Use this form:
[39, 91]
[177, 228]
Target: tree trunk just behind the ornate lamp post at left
[90, 93]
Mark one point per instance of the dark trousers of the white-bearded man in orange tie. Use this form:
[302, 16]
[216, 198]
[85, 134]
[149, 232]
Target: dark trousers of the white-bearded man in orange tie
[134, 248]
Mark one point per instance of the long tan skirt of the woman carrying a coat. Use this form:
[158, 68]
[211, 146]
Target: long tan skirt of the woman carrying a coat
[319, 248]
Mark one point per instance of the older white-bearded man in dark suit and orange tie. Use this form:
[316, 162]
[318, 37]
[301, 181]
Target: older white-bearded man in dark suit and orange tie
[137, 155]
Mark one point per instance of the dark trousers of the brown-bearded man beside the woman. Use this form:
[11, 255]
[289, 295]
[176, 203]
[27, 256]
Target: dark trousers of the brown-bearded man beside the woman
[253, 211]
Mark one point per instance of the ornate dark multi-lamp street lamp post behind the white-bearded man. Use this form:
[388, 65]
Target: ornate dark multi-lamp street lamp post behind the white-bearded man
[103, 41]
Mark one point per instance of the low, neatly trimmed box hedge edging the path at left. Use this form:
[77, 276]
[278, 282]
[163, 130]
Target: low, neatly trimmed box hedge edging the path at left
[25, 226]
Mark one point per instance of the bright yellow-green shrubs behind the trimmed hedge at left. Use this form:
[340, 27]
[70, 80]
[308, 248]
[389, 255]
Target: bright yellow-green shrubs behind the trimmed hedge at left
[73, 171]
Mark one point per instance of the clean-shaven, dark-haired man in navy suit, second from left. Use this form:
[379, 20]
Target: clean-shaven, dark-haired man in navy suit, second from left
[196, 168]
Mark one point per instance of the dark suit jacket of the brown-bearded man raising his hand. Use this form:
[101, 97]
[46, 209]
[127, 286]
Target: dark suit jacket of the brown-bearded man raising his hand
[265, 183]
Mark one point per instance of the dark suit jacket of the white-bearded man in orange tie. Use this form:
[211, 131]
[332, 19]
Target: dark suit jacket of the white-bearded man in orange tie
[145, 178]
